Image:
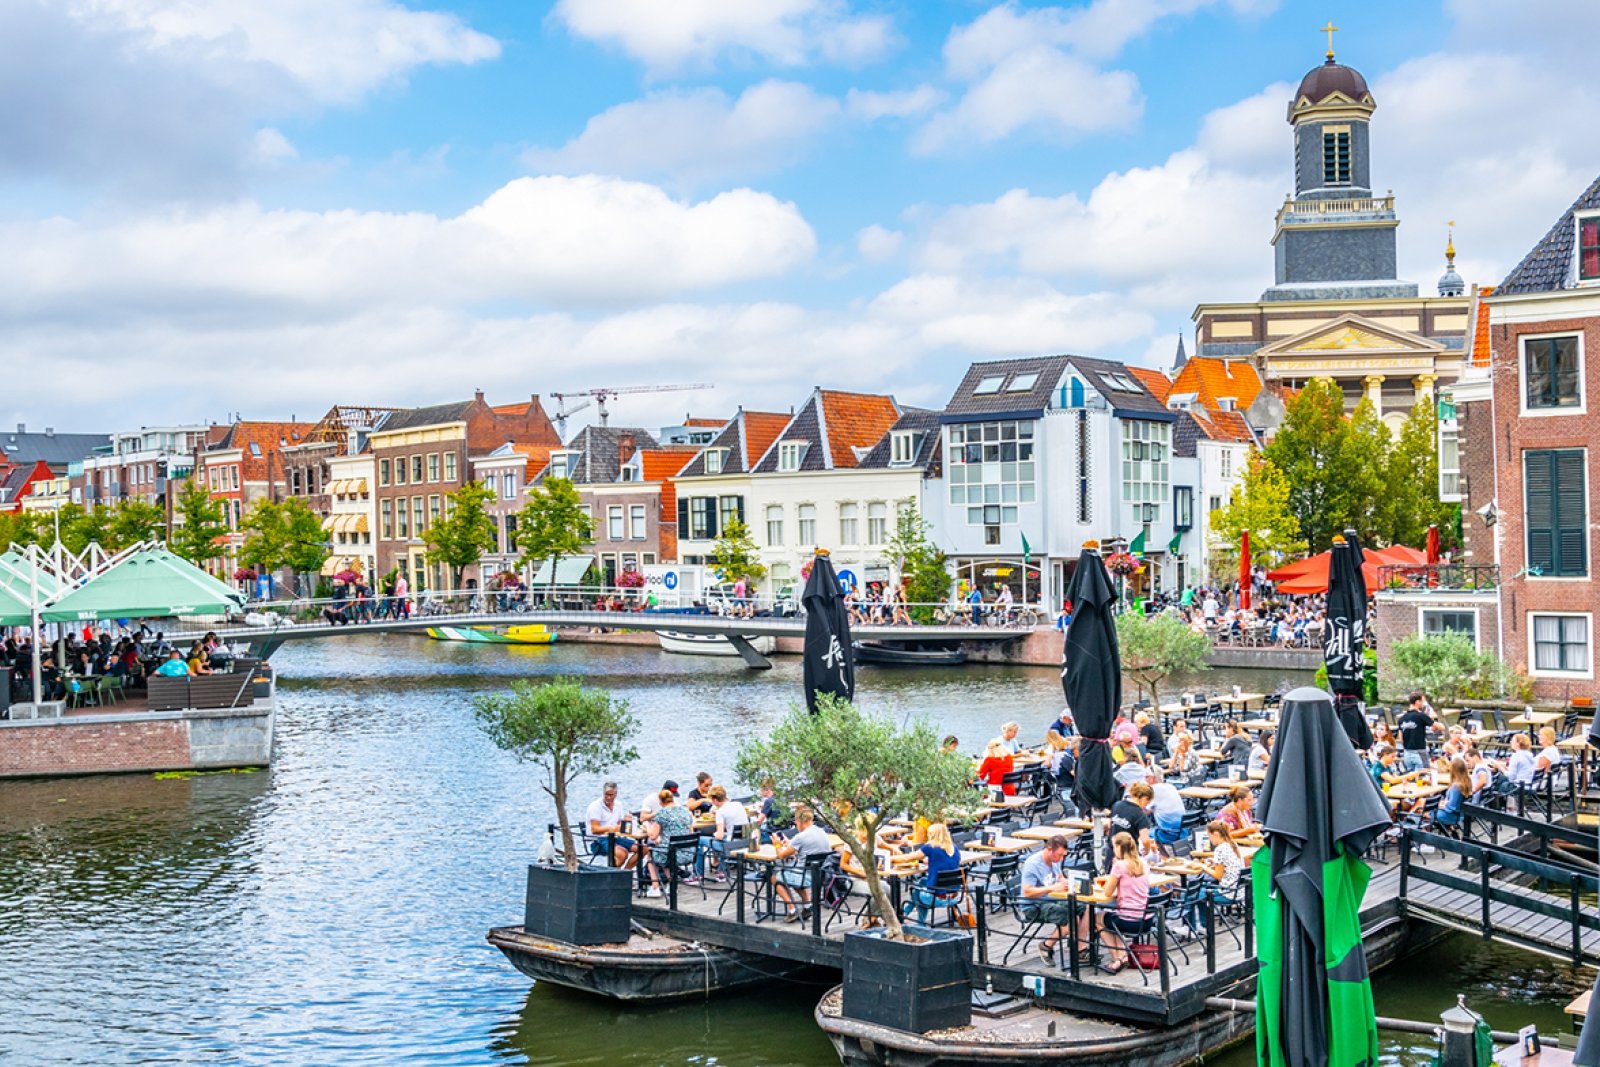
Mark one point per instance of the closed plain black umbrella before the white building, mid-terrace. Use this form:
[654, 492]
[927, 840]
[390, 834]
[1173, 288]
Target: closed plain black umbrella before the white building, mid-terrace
[1092, 679]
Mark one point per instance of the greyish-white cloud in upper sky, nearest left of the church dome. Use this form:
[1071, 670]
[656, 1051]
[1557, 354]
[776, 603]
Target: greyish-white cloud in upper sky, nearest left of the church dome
[1038, 89]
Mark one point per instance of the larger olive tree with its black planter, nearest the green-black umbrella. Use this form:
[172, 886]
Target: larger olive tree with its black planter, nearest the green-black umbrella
[857, 772]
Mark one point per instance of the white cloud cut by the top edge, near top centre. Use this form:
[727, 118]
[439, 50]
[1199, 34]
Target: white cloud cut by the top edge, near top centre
[697, 33]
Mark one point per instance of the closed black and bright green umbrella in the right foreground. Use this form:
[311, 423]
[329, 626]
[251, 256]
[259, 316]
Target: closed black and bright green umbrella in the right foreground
[1319, 812]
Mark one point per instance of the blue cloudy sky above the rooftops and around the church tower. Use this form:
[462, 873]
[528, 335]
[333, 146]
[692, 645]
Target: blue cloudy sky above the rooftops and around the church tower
[270, 207]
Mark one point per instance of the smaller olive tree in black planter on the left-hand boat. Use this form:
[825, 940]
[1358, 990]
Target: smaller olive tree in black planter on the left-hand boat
[569, 730]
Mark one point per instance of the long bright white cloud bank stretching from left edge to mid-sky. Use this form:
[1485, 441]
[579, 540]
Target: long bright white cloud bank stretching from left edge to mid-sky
[588, 241]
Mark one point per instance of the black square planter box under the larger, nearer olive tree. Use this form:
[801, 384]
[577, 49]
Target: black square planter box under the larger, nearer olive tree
[910, 986]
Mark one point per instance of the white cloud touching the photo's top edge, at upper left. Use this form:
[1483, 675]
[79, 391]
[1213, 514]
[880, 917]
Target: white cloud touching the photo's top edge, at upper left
[338, 50]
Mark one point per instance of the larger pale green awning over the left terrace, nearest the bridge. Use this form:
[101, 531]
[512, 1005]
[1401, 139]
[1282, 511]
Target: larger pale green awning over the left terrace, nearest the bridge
[153, 583]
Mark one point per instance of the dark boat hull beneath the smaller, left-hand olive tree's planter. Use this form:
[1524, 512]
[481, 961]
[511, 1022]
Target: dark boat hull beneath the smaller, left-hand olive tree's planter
[646, 969]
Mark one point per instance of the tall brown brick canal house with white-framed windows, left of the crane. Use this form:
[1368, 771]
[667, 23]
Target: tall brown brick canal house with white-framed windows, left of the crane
[422, 457]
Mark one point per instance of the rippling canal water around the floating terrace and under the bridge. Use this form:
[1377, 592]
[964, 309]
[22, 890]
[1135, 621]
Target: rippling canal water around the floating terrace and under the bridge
[332, 911]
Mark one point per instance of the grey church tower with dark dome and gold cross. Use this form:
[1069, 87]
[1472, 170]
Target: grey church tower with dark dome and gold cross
[1334, 238]
